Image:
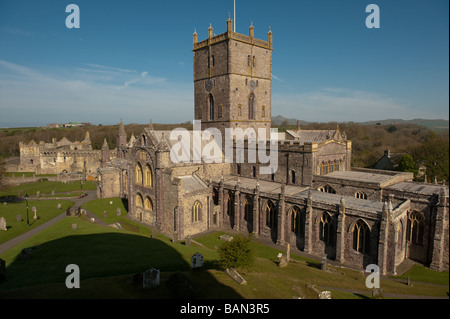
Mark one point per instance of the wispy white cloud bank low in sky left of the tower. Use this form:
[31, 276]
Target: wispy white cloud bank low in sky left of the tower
[88, 95]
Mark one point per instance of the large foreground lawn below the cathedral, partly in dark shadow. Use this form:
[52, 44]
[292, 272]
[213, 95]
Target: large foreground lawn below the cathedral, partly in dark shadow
[108, 259]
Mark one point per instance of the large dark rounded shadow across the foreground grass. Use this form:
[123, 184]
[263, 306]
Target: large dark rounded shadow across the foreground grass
[99, 257]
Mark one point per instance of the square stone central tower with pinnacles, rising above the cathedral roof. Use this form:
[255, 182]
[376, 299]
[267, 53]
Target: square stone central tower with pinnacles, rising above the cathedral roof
[232, 80]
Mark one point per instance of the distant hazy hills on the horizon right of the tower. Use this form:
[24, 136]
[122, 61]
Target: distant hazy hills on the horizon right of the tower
[434, 125]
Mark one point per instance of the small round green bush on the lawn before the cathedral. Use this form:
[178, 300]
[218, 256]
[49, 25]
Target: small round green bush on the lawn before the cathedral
[237, 253]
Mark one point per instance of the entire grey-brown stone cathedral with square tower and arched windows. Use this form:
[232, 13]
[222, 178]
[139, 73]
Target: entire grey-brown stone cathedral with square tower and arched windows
[313, 199]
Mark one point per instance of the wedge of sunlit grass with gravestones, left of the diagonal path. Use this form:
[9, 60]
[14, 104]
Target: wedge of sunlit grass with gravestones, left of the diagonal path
[46, 210]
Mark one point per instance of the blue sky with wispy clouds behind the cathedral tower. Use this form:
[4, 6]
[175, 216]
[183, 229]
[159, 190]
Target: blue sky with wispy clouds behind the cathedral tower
[132, 59]
